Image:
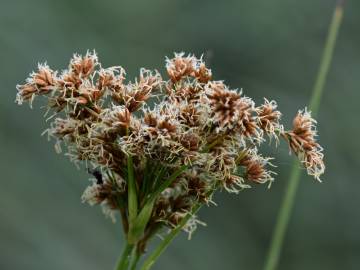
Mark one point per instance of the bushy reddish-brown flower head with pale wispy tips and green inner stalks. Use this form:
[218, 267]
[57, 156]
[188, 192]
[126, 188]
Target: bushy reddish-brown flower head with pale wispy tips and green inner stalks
[158, 147]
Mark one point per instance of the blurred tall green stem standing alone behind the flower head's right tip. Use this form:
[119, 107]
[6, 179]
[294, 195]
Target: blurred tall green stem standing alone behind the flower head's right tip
[290, 193]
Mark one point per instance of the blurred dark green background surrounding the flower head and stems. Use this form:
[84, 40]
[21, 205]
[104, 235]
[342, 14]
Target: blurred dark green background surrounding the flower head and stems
[269, 48]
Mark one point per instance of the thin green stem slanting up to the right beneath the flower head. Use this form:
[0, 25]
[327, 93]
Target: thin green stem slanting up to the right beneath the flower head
[149, 262]
